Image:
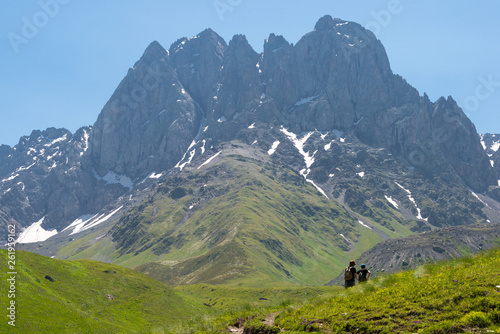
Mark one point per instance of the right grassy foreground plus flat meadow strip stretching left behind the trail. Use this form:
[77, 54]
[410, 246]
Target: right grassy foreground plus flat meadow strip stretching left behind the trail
[460, 295]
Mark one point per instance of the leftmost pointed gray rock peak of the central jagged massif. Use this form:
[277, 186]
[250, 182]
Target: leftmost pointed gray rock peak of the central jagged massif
[148, 122]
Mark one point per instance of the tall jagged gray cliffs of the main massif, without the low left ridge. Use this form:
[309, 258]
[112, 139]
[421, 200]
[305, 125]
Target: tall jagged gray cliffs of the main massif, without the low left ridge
[336, 77]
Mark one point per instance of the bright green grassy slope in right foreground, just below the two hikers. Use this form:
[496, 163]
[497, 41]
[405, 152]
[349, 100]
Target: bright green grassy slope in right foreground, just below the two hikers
[447, 297]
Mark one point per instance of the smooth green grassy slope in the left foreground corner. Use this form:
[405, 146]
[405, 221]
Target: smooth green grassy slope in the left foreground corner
[77, 300]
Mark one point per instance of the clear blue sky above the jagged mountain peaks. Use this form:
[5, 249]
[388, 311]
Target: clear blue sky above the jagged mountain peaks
[62, 59]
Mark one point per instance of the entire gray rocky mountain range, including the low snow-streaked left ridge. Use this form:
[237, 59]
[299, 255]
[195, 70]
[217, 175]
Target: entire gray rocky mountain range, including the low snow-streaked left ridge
[172, 106]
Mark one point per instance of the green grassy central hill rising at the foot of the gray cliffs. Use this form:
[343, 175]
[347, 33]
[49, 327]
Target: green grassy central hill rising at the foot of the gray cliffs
[267, 225]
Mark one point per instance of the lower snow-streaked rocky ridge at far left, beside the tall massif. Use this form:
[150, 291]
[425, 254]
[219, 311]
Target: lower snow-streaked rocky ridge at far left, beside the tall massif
[43, 178]
